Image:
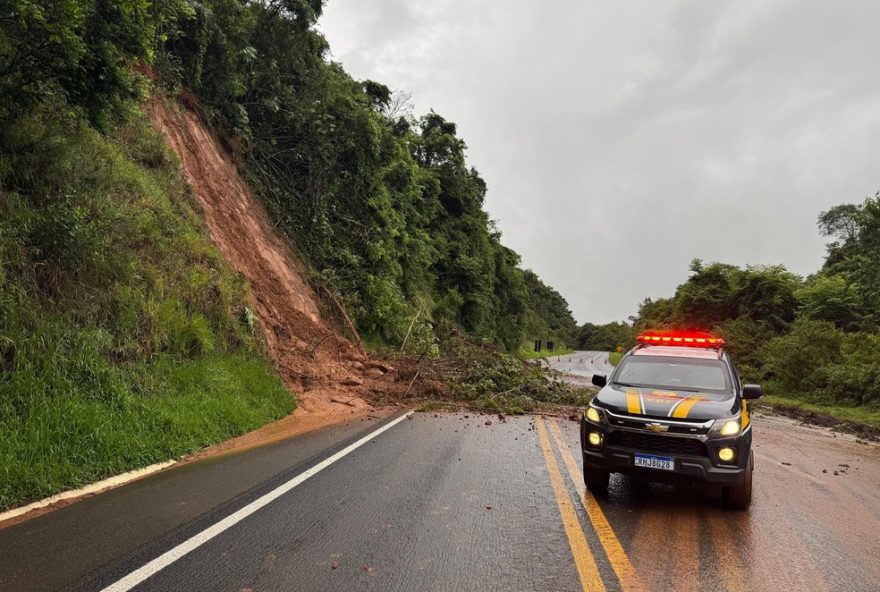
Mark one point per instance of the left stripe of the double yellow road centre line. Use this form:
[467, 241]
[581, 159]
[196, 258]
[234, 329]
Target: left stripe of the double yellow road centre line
[583, 558]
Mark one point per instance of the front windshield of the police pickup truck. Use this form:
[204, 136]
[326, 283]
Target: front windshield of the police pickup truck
[688, 374]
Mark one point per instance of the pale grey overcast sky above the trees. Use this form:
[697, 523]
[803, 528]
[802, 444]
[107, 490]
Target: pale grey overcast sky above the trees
[620, 140]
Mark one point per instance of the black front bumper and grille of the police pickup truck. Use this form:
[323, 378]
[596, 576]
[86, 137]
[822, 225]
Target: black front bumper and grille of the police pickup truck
[692, 468]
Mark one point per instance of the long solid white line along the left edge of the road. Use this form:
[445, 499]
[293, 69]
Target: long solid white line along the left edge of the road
[162, 561]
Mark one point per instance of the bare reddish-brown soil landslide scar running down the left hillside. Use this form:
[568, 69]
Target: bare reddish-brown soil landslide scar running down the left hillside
[329, 375]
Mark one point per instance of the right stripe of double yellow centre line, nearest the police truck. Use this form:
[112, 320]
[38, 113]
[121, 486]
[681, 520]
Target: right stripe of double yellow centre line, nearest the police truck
[626, 573]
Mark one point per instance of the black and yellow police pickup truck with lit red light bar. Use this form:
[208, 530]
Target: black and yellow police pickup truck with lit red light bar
[673, 410]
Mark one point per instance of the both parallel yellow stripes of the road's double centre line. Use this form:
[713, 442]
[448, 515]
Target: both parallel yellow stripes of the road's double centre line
[587, 569]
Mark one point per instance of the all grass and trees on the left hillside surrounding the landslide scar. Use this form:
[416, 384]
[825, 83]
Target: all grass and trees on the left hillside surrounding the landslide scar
[124, 338]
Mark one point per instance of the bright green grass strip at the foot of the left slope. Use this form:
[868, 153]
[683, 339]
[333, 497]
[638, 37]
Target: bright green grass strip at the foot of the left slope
[52, 443]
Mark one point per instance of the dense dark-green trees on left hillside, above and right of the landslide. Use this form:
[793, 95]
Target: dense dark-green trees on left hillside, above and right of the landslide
[382, 205]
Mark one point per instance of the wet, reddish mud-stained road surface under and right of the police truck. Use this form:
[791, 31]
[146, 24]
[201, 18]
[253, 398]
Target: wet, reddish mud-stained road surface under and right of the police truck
[806, 530]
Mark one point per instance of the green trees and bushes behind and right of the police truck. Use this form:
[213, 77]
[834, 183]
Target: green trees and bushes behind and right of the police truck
[815, 338]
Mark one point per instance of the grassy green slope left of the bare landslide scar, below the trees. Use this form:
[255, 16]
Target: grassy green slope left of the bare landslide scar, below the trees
[124, 338]
